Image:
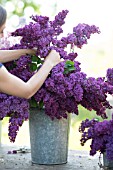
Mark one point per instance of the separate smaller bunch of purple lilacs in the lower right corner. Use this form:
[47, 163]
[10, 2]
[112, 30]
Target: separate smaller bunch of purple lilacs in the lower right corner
[101, 135]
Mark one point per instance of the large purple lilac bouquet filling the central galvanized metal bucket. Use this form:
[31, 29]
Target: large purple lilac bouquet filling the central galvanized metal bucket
[66, 86]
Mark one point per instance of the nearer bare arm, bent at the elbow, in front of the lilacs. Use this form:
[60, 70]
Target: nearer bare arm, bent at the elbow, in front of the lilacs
[12, 85]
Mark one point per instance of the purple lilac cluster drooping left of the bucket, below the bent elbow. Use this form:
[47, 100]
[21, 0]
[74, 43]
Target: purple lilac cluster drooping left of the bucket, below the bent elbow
[16, 109]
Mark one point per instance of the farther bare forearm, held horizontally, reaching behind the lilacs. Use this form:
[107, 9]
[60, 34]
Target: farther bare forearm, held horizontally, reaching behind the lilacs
[9, 55]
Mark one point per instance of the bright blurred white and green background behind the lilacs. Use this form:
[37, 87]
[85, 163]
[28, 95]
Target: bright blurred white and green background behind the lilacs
[95, 57]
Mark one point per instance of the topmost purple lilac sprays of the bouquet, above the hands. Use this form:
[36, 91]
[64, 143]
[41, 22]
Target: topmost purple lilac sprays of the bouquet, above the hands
[45, 35]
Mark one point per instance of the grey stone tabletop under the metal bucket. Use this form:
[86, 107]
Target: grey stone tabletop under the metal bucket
[77, 160]
